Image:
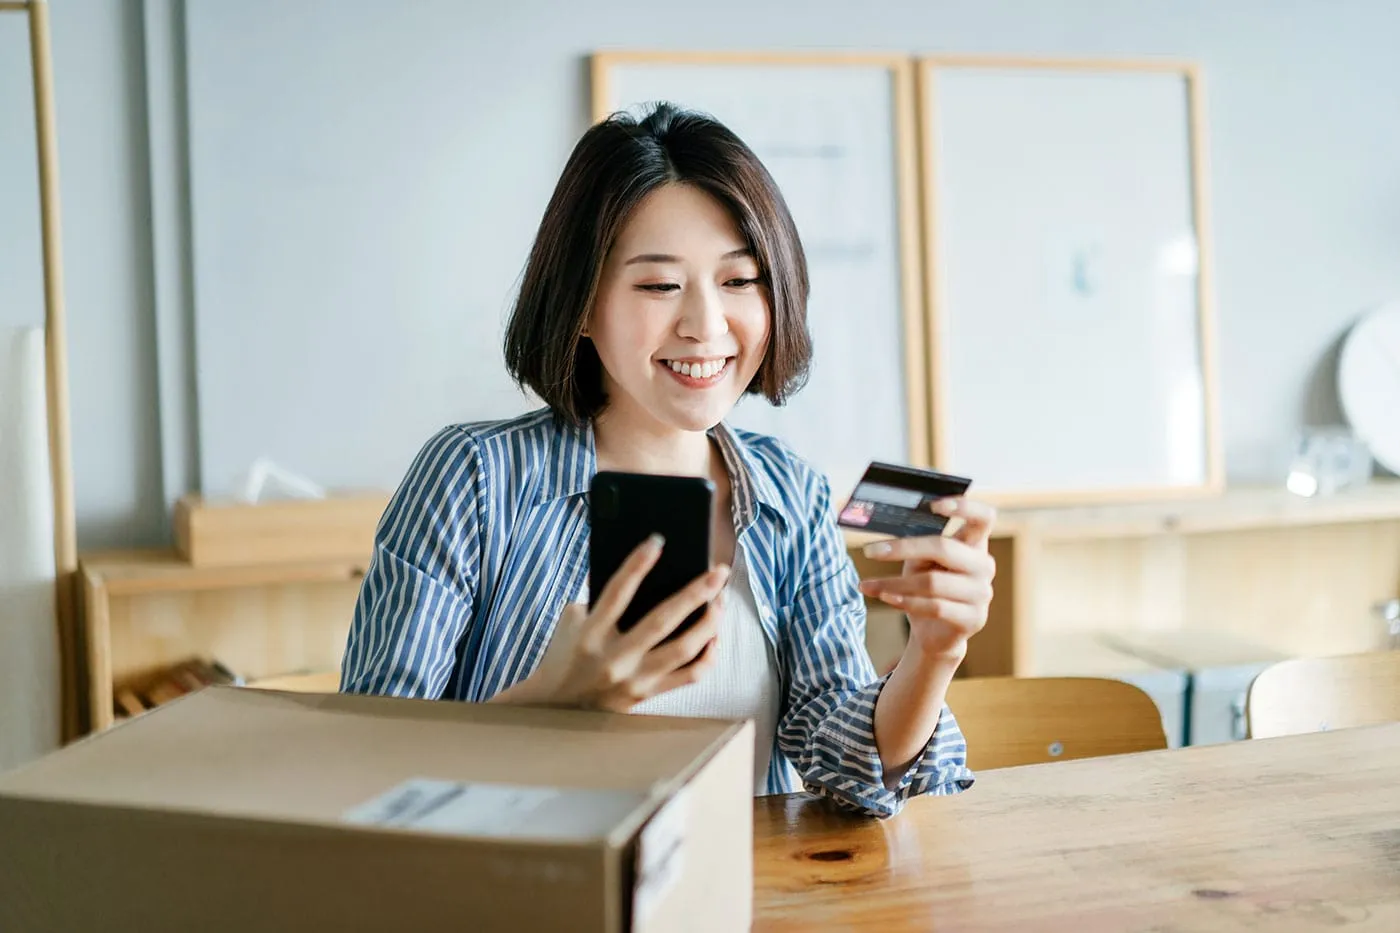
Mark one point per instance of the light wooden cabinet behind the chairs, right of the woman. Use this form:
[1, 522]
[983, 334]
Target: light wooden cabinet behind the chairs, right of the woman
[1297, 575]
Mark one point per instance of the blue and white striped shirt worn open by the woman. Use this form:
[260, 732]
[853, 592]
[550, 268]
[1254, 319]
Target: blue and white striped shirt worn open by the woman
[486, 541]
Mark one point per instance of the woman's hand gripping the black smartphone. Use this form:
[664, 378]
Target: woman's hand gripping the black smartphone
[593, 665]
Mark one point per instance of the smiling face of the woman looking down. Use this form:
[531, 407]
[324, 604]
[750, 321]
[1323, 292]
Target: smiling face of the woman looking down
[681, 322]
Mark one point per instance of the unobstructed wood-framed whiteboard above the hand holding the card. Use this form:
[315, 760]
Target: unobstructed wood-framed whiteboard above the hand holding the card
[1067, 240]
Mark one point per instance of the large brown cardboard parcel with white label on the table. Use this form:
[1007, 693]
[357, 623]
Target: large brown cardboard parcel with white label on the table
[234, 809]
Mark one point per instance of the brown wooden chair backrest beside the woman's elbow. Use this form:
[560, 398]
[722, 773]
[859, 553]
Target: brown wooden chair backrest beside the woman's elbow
[1027, 721]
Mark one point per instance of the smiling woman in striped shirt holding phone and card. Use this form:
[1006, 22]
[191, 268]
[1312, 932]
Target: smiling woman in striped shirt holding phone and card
[667, 281]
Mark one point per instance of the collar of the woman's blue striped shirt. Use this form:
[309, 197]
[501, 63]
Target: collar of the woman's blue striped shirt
[575, 462]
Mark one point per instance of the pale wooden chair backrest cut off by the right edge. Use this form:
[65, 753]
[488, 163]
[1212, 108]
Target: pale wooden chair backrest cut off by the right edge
[1317, 694]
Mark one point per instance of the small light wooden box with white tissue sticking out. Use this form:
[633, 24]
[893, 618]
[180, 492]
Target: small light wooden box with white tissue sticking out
[233, 534]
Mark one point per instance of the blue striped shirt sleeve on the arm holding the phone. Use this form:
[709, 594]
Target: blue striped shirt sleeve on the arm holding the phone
[419, 592]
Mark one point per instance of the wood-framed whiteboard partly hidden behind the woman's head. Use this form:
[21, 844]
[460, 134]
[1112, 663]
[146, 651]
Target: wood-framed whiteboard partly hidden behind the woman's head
[838, 135]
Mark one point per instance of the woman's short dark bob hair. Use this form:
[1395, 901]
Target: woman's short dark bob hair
[612, 169]
